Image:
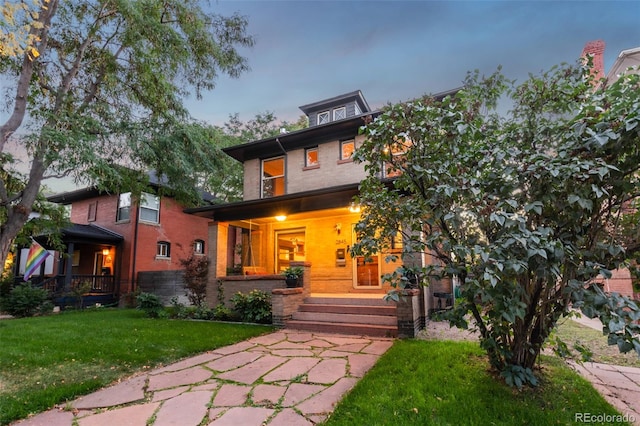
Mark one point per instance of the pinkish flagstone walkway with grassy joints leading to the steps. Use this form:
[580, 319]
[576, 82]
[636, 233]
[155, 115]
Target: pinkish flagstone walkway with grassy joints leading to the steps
[285, 378]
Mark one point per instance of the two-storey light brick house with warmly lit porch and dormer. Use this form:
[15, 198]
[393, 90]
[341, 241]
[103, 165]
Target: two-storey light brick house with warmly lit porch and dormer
[298, 209]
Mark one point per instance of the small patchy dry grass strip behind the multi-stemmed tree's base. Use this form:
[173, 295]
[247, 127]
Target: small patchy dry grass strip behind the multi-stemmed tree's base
[571, 332]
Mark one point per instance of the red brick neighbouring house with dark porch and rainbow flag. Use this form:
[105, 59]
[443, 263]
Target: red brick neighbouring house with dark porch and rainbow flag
[136, 243]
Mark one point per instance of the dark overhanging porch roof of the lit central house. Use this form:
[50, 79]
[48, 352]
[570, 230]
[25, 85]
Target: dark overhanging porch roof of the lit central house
[301, 202]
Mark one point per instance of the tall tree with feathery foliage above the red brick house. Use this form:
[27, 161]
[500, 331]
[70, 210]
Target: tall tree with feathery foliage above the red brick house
[100, 85]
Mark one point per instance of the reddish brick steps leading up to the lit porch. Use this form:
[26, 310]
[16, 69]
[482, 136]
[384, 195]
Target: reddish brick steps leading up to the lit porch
[346, 315]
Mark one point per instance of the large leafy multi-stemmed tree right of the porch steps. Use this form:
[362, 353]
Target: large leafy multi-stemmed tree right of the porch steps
[525, 209]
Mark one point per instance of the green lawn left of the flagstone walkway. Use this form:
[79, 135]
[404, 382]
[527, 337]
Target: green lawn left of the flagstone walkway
[46, 361]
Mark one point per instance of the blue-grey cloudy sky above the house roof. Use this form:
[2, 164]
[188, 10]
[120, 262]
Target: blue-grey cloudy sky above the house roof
[306, 51]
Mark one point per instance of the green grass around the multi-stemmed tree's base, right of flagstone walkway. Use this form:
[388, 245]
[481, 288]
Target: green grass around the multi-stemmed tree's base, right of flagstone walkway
[421, 382]
